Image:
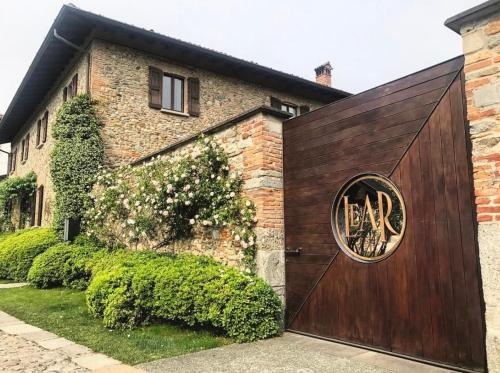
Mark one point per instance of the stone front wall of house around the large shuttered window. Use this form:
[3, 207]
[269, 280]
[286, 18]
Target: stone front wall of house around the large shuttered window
[119, 82]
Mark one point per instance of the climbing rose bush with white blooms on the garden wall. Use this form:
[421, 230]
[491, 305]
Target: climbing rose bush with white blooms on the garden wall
[165, 199]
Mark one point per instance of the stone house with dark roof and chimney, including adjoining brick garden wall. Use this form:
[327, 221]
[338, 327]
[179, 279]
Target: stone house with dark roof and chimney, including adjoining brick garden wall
[154, 94]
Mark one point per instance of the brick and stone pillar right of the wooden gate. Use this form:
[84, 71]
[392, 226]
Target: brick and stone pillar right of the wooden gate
[481, 43]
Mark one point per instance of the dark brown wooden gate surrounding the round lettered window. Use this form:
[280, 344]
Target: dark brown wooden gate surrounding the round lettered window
[424, 301]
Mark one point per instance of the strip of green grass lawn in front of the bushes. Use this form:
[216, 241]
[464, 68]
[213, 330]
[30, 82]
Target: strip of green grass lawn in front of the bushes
[64, 312]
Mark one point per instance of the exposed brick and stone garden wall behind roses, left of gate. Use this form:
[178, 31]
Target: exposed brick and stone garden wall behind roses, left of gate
[254, 146]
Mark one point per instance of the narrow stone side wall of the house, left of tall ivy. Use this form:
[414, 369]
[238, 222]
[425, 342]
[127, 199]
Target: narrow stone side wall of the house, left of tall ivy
[39, 158]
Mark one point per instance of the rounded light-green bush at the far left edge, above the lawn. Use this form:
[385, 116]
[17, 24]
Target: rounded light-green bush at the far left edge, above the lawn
[17, 251]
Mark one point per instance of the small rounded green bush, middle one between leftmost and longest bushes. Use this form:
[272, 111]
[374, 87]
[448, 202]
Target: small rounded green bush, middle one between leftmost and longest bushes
[46, 270]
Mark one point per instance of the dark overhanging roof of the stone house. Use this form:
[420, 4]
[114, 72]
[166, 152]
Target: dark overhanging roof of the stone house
[79, 27]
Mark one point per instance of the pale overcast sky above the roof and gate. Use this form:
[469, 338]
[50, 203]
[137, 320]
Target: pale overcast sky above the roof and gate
[367, 42]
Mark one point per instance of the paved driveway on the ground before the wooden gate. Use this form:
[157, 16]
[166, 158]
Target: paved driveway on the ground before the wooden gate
[290, 353]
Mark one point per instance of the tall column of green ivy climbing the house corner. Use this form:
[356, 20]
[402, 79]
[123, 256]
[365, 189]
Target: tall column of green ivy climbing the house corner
[78, 153]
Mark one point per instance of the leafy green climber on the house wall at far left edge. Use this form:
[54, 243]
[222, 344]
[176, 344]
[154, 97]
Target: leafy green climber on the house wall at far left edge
[14, 188]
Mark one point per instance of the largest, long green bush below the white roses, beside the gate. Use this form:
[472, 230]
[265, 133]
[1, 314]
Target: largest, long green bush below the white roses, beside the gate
[195, 291]
